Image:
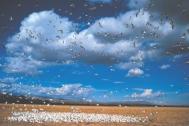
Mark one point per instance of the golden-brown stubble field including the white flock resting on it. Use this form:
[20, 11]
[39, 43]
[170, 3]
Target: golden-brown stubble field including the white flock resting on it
[48, 115]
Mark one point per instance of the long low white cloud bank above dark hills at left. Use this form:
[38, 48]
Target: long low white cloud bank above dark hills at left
[65, 91]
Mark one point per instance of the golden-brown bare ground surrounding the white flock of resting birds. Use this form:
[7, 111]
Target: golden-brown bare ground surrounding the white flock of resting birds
[158, 116]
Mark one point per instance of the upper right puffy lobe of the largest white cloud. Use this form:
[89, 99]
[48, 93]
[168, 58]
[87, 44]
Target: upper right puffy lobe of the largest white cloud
[130, 26]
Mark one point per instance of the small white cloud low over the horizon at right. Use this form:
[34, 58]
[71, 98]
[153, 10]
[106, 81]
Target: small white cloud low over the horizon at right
[147, 93]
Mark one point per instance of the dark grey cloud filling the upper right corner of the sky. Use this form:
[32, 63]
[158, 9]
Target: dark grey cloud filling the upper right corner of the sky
[176, 13]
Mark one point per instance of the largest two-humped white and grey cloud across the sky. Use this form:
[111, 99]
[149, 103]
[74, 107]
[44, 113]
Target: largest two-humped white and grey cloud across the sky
[46, 38]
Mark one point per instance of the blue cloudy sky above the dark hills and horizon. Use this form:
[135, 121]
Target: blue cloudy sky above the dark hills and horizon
[96, 50]
